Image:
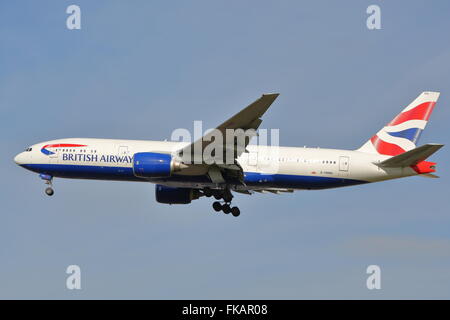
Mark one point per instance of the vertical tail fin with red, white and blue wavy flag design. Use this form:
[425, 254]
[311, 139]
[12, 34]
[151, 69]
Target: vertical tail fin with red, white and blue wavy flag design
[403, 132]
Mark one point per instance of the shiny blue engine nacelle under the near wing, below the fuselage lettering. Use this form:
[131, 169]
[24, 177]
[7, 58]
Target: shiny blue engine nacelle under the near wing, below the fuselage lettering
[155, 165]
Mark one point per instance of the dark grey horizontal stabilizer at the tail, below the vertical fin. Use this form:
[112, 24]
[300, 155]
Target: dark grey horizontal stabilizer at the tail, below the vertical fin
[412, 157]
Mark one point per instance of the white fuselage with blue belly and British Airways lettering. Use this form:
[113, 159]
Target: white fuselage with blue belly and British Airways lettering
[264, 167]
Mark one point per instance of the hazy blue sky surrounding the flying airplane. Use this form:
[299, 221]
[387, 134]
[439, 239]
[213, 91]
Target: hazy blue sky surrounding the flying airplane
[139, 71]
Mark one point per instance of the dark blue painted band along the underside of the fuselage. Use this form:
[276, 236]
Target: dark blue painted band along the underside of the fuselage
[250, 178]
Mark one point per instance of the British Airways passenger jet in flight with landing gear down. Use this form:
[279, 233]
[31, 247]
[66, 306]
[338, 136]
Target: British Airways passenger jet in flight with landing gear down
[389, 154]
